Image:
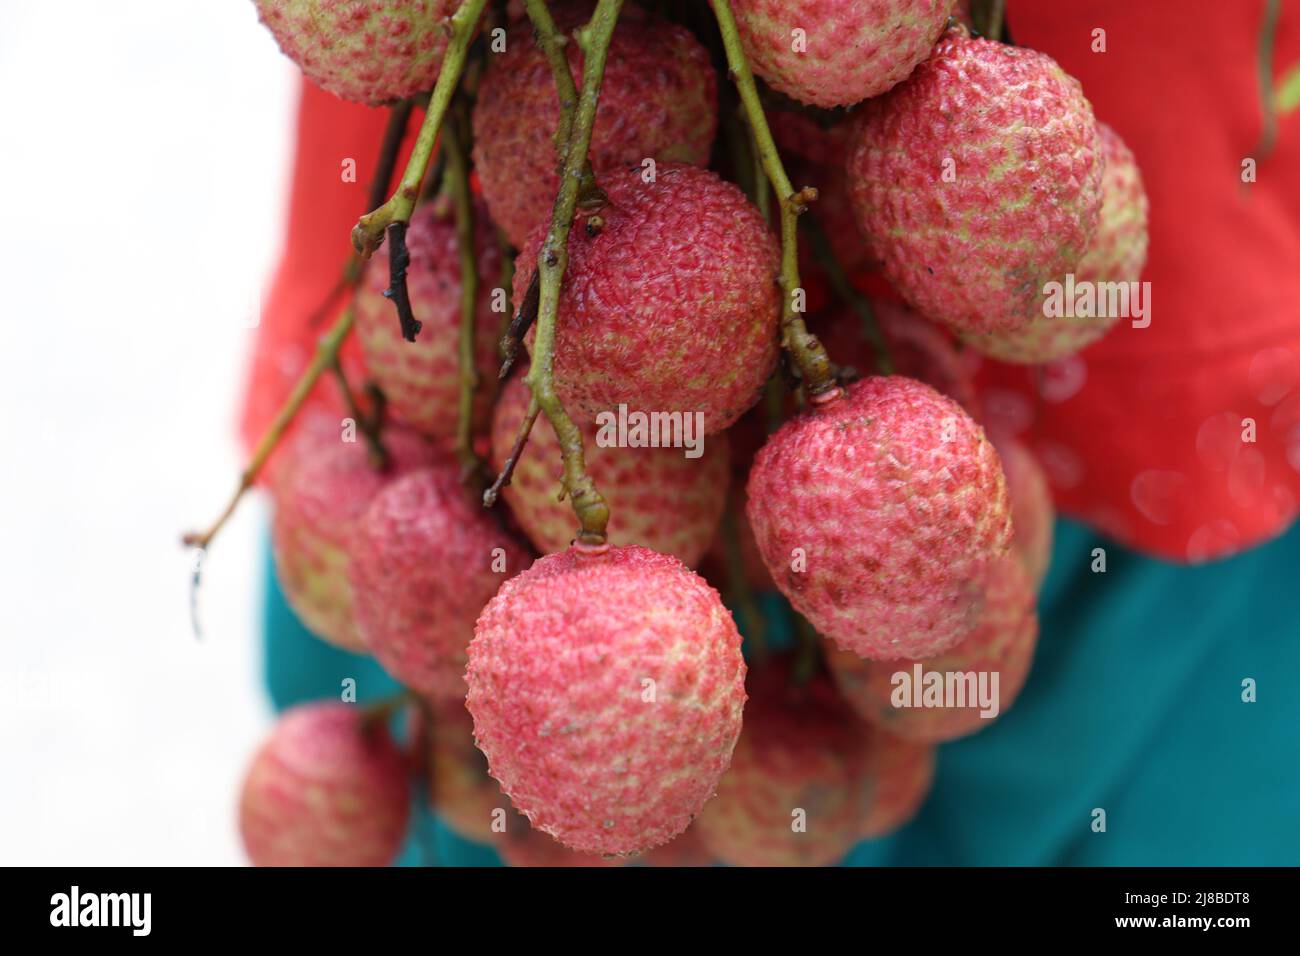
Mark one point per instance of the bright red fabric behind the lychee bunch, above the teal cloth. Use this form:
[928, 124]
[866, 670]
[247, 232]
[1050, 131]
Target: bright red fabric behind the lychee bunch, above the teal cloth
[1141, 434]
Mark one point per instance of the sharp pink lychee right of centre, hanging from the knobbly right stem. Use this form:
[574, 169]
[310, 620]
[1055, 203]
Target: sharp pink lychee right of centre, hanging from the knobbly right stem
[899, 504]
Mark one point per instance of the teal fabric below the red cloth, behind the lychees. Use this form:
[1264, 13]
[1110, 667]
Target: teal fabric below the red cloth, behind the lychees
[1134, 707]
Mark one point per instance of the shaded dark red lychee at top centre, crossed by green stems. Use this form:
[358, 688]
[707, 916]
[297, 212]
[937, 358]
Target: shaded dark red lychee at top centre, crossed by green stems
[658, 101]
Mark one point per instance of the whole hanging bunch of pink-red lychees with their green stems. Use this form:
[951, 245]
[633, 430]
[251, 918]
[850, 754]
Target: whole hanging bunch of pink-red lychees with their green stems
[578, 685]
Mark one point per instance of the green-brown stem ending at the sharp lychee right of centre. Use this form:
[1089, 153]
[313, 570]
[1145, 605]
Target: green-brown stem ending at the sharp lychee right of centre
[809, 356]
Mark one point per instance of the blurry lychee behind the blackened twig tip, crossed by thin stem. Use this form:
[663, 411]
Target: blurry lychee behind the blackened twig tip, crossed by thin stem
[422, 379]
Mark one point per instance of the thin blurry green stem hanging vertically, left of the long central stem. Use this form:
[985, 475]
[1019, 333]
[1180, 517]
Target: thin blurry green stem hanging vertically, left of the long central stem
[458, 185]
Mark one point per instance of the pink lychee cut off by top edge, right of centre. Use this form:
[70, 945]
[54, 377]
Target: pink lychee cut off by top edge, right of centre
[855, 49]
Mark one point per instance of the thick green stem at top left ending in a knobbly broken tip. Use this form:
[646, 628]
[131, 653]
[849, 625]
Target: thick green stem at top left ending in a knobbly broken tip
[370, 231]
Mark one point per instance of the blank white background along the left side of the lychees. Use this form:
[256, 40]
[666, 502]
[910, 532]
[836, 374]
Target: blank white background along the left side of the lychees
[144, 155]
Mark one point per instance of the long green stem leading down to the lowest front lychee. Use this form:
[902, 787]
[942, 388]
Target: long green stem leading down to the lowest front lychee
[553, 259]
